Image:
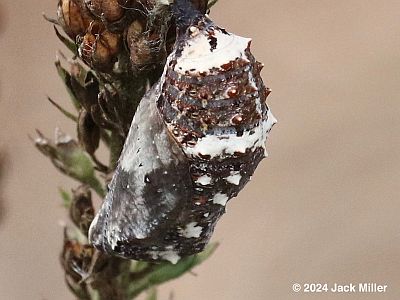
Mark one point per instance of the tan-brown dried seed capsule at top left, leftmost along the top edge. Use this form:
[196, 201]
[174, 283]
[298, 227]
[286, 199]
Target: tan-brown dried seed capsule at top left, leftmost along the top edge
[73, 17]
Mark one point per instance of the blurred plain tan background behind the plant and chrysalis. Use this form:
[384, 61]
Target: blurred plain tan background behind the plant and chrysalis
[323, 208]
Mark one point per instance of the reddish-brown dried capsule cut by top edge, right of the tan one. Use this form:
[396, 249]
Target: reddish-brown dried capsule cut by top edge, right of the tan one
[109, 10]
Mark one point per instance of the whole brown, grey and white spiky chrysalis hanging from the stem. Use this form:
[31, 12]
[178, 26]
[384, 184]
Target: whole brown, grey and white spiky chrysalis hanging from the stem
[195, 141]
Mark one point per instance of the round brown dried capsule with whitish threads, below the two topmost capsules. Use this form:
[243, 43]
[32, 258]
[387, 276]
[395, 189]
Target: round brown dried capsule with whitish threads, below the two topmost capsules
[99, 47]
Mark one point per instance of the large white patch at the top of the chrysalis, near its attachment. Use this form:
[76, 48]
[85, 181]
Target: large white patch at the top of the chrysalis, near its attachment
[198, 52]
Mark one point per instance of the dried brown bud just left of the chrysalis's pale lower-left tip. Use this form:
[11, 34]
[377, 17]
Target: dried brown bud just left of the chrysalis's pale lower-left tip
[81, 210]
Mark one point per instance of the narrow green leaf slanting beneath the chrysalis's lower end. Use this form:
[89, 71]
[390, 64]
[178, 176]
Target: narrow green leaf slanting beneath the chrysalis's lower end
[166, 271]
